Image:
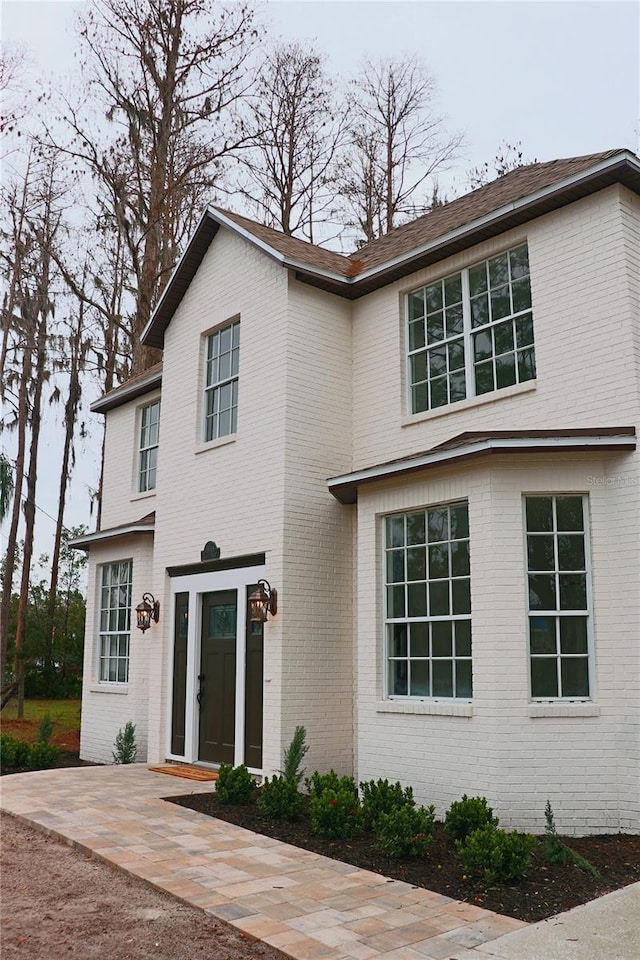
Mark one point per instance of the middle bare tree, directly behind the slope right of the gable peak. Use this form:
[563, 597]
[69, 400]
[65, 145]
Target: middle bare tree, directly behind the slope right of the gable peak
[296, 124]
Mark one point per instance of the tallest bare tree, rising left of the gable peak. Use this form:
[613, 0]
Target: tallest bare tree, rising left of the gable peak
[168, 78]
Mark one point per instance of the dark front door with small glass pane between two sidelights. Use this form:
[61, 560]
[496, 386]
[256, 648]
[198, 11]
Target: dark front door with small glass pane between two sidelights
[217, 680]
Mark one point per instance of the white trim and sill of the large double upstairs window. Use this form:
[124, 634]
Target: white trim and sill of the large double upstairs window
[467, 336]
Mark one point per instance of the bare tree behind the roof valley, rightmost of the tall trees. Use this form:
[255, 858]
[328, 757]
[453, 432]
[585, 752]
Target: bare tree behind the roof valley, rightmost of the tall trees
[397, 144]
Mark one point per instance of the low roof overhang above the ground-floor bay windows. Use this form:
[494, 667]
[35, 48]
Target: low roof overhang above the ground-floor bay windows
[469, 446]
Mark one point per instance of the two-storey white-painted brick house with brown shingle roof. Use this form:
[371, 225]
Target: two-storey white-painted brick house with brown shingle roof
[429, 449]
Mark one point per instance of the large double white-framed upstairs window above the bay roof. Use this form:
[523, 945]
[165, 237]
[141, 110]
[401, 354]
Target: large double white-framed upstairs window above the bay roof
[471, 333]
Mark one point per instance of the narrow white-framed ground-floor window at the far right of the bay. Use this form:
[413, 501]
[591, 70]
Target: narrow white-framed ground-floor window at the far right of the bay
[559, 588]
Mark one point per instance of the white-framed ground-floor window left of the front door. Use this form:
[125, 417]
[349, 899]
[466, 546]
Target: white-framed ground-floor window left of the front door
[115, 621]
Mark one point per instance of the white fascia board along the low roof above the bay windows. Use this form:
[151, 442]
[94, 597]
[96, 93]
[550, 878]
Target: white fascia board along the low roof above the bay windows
[383, 471]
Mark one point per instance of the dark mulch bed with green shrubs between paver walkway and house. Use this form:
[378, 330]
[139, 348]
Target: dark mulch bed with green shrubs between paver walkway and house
[545, 891]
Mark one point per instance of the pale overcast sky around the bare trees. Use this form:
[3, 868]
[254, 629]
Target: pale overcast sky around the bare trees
[561, 77]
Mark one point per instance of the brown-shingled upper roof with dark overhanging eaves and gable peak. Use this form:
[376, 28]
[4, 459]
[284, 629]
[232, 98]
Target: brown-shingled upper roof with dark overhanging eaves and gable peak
[400, 252]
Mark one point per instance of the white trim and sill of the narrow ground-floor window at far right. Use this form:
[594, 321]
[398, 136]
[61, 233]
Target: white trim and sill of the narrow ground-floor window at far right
[571, 705]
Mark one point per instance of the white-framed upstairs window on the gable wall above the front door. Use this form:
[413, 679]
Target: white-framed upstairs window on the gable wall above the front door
[221, 382]
